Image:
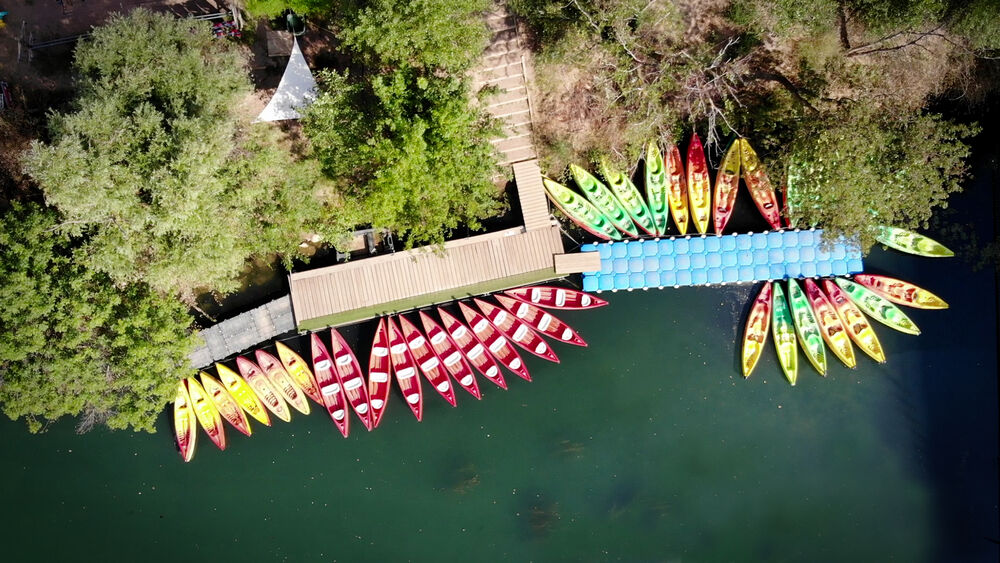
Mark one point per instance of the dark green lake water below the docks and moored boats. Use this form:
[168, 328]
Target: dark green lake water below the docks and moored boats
[646, 446]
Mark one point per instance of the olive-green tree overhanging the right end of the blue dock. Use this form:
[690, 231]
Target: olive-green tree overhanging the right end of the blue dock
[852, 170]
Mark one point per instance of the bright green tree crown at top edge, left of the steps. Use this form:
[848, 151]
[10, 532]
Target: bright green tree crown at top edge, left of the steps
[448, 34]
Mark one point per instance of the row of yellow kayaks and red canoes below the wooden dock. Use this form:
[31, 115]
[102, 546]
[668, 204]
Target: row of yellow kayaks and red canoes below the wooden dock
[442, 352]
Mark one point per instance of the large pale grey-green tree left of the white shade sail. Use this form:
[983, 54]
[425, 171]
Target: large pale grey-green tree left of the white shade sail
[153, 163]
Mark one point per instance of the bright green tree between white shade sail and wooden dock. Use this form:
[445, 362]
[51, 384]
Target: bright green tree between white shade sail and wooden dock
[410, 149]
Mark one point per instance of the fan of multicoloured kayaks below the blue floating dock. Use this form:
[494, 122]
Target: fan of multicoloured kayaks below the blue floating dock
[832, 317]
